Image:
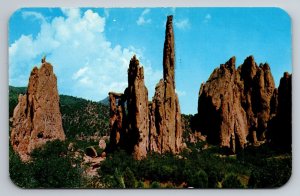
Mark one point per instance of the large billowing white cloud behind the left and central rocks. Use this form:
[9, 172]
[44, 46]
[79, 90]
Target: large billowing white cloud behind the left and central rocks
[85, 62]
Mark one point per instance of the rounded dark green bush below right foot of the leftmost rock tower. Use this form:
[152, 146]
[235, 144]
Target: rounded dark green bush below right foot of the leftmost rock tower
[52, 167]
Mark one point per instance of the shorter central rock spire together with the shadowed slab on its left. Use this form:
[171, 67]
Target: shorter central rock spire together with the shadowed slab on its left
[130, 125]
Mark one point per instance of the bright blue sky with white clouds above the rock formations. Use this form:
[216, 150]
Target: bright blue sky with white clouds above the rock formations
[90, 49]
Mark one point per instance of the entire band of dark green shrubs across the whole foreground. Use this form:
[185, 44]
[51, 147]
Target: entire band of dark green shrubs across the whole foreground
[54, 166]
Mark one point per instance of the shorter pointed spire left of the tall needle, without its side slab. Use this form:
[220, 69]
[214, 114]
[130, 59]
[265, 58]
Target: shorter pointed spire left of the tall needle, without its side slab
[137, 106]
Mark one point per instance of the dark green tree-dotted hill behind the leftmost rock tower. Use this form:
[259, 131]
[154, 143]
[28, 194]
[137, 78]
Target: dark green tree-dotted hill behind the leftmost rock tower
[78, 115]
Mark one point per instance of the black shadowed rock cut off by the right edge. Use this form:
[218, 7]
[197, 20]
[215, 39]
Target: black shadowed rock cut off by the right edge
[281, 123]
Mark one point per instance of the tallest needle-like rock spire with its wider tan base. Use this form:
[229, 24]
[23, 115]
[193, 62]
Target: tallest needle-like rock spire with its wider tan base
[167, 130]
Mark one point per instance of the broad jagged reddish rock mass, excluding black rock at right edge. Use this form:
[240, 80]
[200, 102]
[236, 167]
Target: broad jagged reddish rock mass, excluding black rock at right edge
[234, 105]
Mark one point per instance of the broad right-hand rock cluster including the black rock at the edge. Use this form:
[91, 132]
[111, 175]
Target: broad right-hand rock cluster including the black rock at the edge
[241, 106]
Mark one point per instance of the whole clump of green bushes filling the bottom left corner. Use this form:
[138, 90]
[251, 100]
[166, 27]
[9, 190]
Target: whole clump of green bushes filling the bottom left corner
[50, 166]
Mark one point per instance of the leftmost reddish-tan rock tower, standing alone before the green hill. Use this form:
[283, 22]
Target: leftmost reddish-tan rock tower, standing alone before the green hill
[37, 118]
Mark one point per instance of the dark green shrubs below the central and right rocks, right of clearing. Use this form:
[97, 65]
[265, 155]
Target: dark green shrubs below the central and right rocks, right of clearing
[198, 168]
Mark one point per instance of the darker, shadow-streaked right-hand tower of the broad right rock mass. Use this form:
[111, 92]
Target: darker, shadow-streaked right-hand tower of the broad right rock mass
[256, 98]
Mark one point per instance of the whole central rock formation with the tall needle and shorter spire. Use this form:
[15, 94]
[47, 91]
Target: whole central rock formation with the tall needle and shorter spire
[139, 127]
